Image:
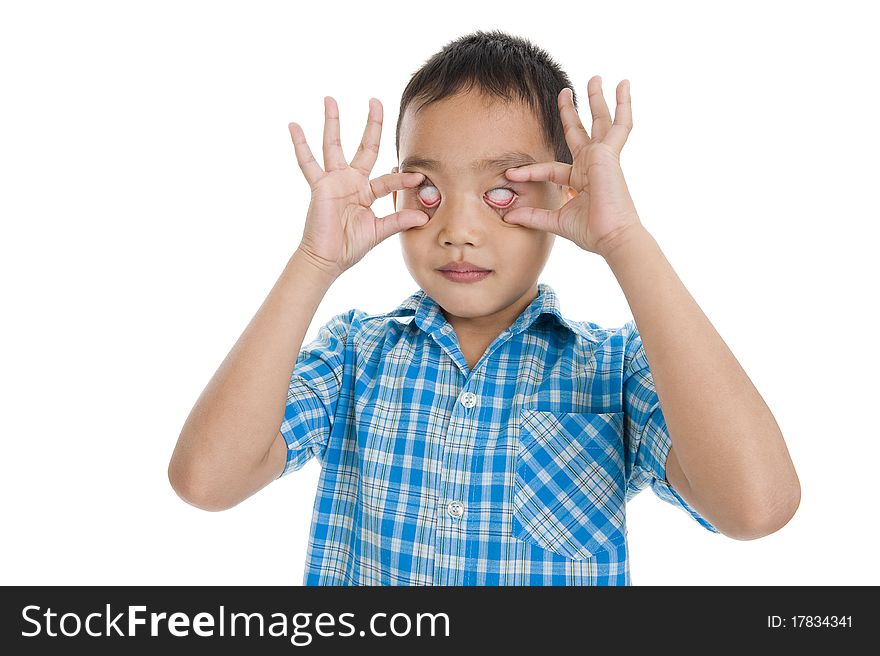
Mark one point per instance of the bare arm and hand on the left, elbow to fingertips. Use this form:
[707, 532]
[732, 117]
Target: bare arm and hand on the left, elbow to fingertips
[230, 446]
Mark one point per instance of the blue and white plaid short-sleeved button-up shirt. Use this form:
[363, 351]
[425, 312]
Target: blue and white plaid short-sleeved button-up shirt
[516, 472]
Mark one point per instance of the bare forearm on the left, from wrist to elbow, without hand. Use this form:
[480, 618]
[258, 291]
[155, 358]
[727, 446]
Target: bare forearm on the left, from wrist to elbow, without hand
[233, 424]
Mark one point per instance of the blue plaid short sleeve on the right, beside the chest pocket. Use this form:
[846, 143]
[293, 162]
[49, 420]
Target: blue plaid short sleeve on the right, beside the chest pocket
[646, 436]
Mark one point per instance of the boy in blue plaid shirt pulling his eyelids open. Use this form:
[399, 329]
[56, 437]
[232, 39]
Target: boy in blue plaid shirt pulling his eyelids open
[474, 436]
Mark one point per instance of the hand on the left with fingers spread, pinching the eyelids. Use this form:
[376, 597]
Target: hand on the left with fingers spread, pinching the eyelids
[340, 226]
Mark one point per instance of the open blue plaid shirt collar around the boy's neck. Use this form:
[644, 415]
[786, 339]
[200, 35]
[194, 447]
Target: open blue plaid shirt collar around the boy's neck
[428, 317]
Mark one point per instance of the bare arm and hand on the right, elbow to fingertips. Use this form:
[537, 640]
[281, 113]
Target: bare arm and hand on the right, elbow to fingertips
[728, 458]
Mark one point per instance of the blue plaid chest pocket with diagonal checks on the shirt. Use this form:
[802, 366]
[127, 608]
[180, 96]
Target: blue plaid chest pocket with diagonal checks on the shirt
[569, 495]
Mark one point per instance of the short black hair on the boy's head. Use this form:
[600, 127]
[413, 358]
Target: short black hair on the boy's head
[498, 64]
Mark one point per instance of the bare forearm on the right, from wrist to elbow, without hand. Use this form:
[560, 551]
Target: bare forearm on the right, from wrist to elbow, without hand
[726, 441]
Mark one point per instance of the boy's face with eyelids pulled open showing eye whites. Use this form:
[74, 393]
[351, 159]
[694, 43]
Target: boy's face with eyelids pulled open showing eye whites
[465, 204]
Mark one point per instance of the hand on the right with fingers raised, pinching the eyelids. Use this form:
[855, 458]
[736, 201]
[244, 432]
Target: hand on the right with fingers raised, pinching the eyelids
[602, 211]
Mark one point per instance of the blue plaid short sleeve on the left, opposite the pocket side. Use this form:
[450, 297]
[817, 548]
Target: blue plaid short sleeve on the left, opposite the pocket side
[313, 393]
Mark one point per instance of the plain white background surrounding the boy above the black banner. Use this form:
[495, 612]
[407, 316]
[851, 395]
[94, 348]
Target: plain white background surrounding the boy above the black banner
[150, 198]
